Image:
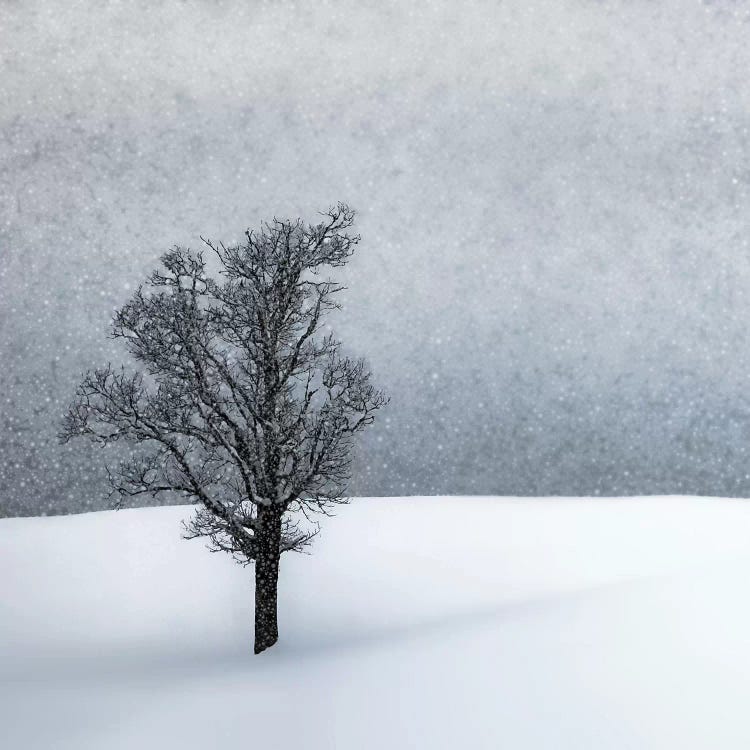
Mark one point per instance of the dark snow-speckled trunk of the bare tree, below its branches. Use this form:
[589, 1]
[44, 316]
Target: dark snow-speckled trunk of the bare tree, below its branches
[267, 577]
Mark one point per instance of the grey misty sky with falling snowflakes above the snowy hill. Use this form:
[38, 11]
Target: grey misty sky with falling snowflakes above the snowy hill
[553, 280]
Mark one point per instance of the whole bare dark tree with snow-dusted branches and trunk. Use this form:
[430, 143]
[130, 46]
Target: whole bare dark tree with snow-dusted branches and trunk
[241, 404]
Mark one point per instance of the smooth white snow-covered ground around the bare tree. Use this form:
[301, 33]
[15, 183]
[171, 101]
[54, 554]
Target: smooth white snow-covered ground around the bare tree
[459, 622]
